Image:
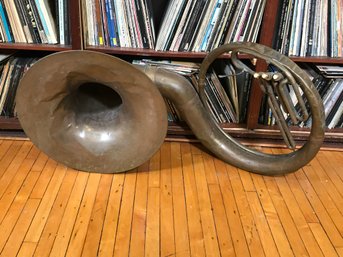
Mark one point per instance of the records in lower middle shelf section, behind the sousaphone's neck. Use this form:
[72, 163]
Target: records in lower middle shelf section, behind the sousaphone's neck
[227, 90]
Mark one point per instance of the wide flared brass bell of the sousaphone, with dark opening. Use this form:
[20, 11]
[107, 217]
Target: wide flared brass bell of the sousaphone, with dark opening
[91, 111]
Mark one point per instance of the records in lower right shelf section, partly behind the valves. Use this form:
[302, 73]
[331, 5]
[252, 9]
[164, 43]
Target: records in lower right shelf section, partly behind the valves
[329, 82]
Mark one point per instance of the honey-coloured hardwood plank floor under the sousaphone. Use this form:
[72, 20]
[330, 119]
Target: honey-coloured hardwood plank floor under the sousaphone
[183, 202]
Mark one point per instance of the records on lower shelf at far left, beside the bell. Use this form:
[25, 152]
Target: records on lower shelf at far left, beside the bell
[12, 69]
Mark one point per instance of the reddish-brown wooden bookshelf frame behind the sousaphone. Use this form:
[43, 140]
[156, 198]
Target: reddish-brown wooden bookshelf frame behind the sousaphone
[249, 130]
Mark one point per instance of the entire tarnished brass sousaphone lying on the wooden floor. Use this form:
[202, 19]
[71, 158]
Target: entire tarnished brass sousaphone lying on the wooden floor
[97, 113]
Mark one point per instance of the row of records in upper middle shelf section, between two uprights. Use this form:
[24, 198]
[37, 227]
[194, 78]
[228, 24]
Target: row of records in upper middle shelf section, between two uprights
[195, 25]
